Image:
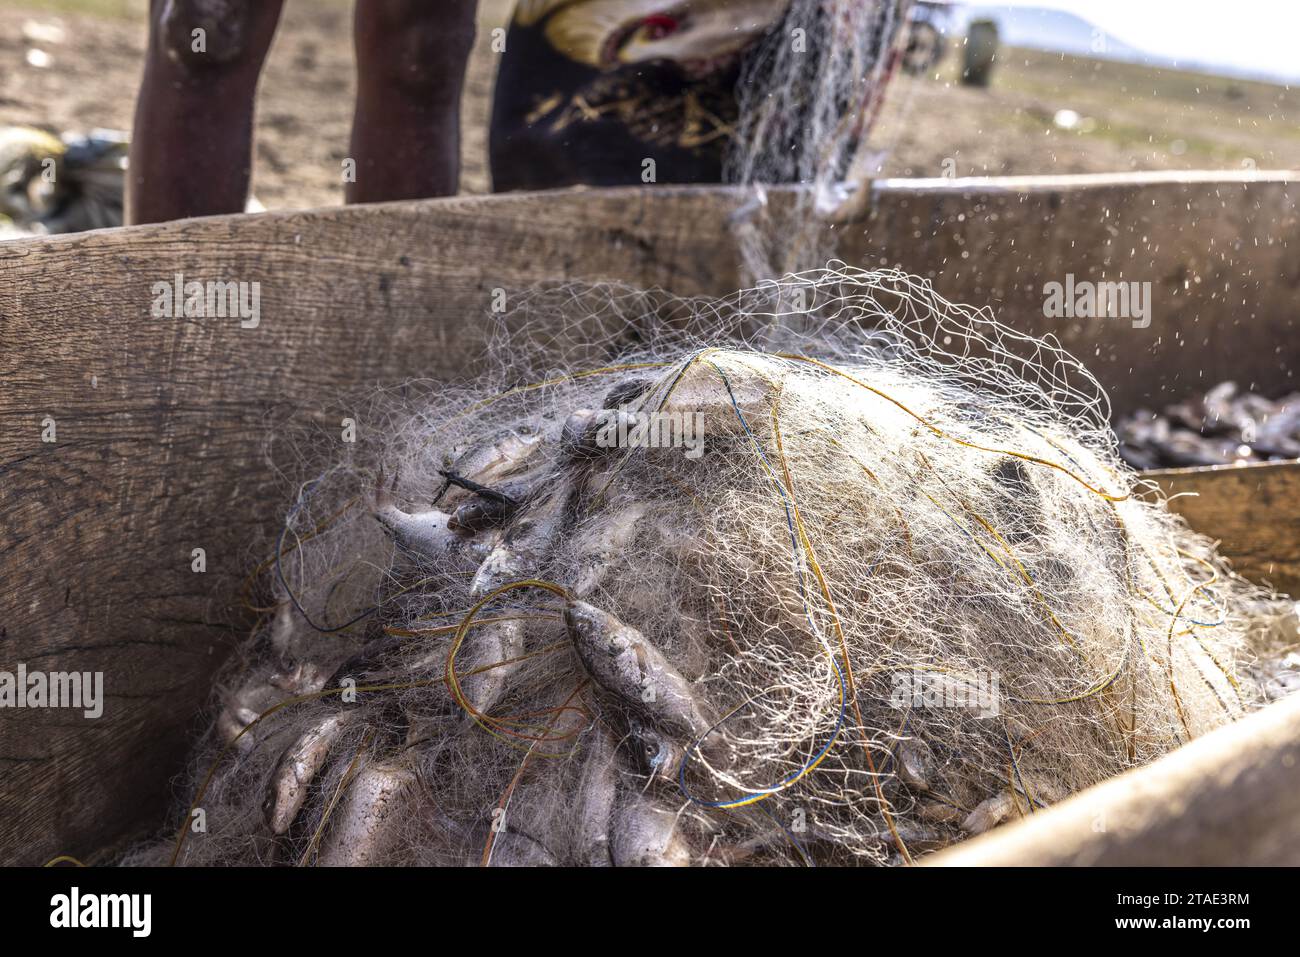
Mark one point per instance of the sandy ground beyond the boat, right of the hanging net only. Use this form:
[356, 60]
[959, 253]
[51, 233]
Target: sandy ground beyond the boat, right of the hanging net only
[1129, 118]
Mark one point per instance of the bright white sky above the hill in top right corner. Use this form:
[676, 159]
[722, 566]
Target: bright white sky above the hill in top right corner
[1251, 36]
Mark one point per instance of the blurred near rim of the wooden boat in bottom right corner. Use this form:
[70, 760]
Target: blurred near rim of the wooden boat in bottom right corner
[1232, 798]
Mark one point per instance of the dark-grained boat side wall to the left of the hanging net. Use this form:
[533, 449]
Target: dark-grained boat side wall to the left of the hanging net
[162, 431]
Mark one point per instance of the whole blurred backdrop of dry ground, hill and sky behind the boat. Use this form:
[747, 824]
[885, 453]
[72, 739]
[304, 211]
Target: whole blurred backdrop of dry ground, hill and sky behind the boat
[1055, 86]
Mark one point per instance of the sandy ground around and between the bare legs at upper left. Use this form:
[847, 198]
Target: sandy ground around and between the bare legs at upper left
[305, 107]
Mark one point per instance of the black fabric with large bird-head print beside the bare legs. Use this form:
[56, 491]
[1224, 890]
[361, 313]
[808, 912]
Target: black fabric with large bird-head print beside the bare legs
[590, 90]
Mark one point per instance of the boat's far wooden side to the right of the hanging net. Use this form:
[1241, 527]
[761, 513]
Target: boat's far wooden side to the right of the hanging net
[1220, 252]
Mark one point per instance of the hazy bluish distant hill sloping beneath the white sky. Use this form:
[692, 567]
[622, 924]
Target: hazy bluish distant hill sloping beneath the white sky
[1060, 32]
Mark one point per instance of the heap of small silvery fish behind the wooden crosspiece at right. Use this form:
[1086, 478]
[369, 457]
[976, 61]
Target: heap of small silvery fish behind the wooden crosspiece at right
[1220, 428]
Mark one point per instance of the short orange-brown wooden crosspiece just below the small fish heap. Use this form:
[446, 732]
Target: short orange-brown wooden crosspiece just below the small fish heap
[1253, 510]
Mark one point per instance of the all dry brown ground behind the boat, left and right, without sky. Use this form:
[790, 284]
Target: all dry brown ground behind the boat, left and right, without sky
[1129, 118]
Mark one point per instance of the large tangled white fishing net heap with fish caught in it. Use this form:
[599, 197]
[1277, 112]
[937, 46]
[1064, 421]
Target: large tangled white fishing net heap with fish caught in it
[881, 582]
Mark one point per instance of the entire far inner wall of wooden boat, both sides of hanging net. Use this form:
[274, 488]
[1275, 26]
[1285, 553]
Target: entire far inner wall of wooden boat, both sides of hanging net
[163, 425]
